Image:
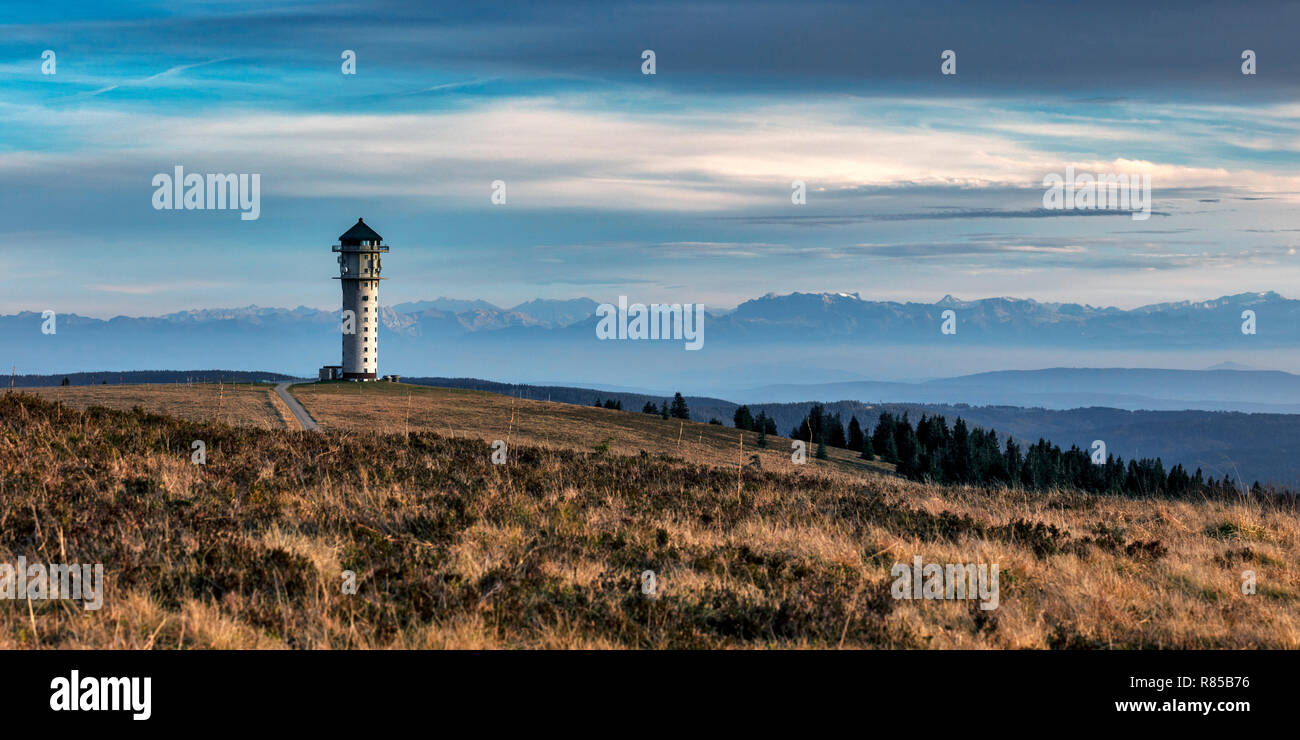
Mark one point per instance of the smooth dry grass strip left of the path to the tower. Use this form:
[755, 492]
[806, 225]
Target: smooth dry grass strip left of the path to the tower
[253, 405]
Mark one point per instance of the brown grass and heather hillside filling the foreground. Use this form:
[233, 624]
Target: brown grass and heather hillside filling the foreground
[547, 551]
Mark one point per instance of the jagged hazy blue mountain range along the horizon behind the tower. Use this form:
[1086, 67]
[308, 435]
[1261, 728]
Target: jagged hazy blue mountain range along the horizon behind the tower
[796, 339]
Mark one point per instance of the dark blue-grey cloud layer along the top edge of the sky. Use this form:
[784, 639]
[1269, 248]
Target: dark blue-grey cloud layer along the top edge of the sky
[1004, 47]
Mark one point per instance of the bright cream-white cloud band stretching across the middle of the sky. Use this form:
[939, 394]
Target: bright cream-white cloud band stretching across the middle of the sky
[567, 153]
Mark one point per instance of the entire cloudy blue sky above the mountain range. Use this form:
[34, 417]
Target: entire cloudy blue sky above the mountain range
[666, 188]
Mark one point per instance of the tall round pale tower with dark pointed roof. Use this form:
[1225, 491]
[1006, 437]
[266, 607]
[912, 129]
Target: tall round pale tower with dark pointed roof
[359, 266]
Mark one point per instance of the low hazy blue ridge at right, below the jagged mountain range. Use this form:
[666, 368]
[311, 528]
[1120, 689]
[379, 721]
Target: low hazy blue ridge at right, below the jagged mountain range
[1071, 388]
